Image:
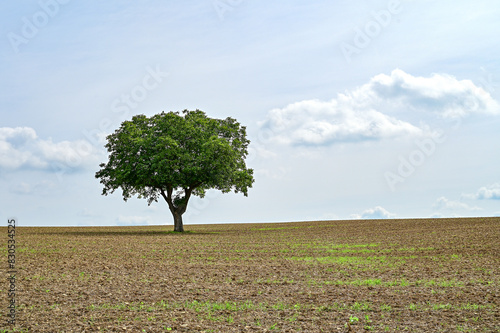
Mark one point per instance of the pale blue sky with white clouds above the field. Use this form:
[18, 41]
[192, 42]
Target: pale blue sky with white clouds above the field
[354, 109]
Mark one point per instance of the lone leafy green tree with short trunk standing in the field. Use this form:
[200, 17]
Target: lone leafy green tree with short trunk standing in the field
[175, 156]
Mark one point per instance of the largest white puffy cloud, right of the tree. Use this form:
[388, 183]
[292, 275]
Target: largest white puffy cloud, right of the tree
[357, 115]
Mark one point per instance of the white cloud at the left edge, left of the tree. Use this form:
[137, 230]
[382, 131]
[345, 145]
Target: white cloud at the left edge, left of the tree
[20, 147]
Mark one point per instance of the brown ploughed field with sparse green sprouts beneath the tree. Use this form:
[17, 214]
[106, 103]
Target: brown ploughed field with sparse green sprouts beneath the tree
[418, 275]
